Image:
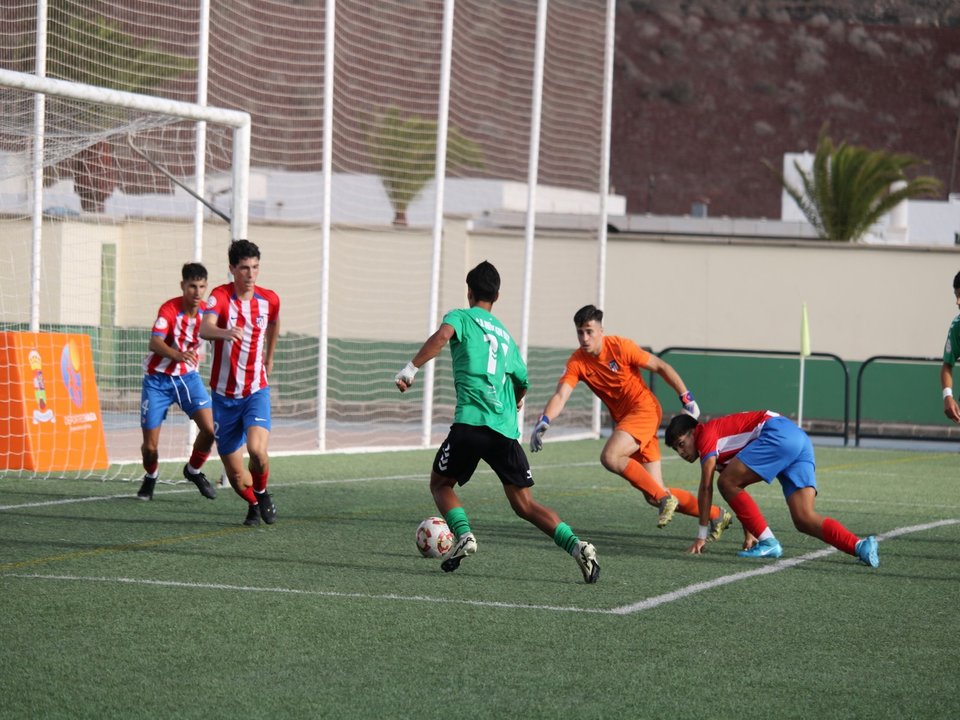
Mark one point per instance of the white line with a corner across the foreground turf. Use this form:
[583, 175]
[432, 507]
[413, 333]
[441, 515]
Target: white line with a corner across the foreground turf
[633, 608]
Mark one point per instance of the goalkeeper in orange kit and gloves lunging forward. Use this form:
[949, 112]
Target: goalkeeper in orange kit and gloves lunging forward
[611, 367]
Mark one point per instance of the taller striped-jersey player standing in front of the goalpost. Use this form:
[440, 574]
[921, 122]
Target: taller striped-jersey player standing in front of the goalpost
[243, 321]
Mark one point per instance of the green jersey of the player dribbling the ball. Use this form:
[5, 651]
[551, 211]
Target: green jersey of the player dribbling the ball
[487, 371]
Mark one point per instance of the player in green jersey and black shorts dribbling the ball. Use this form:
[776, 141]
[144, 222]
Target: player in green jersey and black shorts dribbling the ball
[490, 377]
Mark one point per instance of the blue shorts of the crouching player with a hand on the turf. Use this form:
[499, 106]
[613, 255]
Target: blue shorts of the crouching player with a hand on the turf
[782, 451]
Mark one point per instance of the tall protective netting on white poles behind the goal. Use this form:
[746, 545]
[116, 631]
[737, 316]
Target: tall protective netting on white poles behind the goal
[362, 270]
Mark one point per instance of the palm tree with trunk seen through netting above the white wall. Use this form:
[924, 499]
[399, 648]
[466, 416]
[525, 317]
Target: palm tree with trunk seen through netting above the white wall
[403, 152]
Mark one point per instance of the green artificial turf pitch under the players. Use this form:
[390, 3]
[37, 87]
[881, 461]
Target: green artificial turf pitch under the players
[114, 607]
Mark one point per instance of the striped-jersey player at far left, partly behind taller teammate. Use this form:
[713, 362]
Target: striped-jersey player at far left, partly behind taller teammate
[170, 376]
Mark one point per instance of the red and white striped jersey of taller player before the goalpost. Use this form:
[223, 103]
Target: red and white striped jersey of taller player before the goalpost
[238, 369]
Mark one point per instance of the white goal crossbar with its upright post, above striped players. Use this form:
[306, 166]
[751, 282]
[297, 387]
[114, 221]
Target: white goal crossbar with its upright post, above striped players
[236, 119]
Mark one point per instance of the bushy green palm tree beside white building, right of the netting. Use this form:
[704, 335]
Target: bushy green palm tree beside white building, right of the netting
[851, 187]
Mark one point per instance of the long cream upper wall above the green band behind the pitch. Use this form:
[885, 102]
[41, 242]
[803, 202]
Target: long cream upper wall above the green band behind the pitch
[862, 300]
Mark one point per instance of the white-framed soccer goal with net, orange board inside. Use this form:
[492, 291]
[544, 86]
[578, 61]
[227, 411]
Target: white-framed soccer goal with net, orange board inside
[104, 195]
